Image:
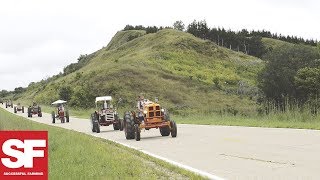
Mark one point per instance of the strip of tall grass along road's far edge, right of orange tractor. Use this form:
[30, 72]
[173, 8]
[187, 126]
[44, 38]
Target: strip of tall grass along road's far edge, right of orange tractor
[277, 120]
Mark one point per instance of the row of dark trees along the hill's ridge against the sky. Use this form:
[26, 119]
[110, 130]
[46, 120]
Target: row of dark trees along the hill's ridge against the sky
[248, 42]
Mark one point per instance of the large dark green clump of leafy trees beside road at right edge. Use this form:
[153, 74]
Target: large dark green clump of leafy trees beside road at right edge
[291, 78]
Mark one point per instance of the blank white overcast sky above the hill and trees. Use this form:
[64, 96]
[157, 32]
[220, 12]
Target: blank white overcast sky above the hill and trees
[40, 37]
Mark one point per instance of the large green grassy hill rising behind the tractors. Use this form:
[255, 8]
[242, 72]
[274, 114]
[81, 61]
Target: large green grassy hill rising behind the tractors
[185, 72]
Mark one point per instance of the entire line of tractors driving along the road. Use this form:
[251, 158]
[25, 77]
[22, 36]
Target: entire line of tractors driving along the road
[150, 116]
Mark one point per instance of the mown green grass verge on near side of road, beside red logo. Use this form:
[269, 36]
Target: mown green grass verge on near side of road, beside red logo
[74, 155]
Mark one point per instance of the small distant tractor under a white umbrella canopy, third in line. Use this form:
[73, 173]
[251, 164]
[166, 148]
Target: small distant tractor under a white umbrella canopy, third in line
[61, 113]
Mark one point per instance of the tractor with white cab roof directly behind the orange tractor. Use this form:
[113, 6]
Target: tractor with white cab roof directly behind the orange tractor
[105, 116]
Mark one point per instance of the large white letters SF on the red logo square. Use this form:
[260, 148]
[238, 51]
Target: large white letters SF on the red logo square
[25, 158]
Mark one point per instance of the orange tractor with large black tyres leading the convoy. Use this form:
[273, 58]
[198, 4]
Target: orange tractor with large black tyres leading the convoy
[153, 116]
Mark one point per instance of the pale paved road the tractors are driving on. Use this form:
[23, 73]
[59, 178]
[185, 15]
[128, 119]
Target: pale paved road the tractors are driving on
[224, 151]
